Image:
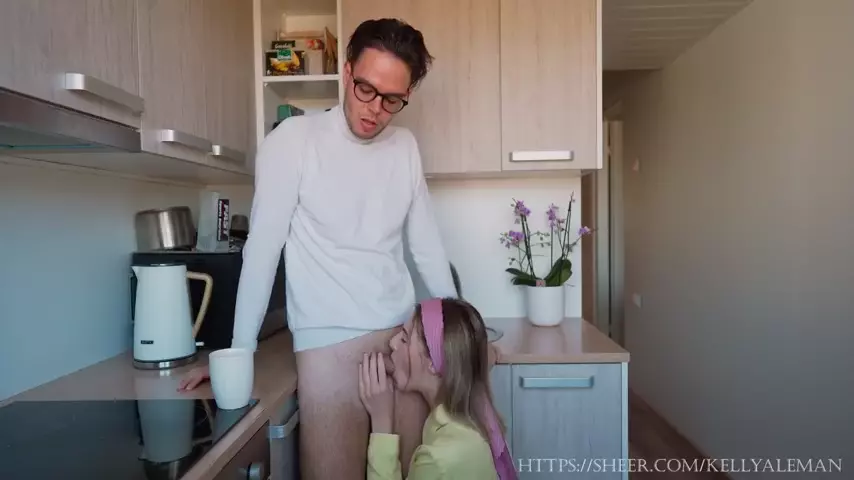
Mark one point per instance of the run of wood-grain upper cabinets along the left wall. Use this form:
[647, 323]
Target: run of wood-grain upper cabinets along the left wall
[175, 74]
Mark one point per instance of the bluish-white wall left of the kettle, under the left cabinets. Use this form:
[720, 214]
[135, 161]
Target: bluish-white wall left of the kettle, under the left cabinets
[65, 240]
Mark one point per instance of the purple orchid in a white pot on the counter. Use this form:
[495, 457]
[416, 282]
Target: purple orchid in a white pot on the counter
[545, 294]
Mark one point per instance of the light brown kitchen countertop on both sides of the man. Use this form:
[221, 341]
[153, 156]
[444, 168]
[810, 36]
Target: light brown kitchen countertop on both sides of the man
[573, 341]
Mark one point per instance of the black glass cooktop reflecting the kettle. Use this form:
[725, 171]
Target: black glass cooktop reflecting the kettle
[109, 439]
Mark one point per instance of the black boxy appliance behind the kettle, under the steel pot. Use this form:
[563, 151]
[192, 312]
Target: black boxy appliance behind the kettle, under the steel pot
[218, 326]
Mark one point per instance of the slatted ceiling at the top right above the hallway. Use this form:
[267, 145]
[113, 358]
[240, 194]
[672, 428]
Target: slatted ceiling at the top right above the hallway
[648, 34]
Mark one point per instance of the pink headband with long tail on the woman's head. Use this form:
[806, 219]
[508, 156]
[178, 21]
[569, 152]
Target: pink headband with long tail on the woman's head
[433, 323]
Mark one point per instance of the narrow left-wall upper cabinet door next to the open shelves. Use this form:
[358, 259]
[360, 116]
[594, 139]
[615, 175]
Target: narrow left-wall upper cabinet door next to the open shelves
[228, 87]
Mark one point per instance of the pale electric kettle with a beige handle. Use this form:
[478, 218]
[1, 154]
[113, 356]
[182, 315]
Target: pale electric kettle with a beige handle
[164, 333]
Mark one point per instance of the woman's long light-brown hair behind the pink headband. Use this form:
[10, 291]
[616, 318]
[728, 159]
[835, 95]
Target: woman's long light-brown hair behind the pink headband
[465, 376]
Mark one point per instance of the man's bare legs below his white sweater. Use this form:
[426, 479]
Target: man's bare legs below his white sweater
[334, 426]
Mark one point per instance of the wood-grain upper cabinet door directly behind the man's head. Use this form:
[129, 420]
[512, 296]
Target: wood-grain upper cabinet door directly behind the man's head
[455, 113]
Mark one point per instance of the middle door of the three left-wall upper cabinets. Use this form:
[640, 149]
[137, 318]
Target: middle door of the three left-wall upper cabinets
[173, 58]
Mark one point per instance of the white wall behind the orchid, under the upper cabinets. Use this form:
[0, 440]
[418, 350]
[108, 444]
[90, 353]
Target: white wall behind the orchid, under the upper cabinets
[471, 215]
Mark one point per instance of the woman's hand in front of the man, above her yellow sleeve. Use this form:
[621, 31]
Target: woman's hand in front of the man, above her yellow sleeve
[377, 392]
